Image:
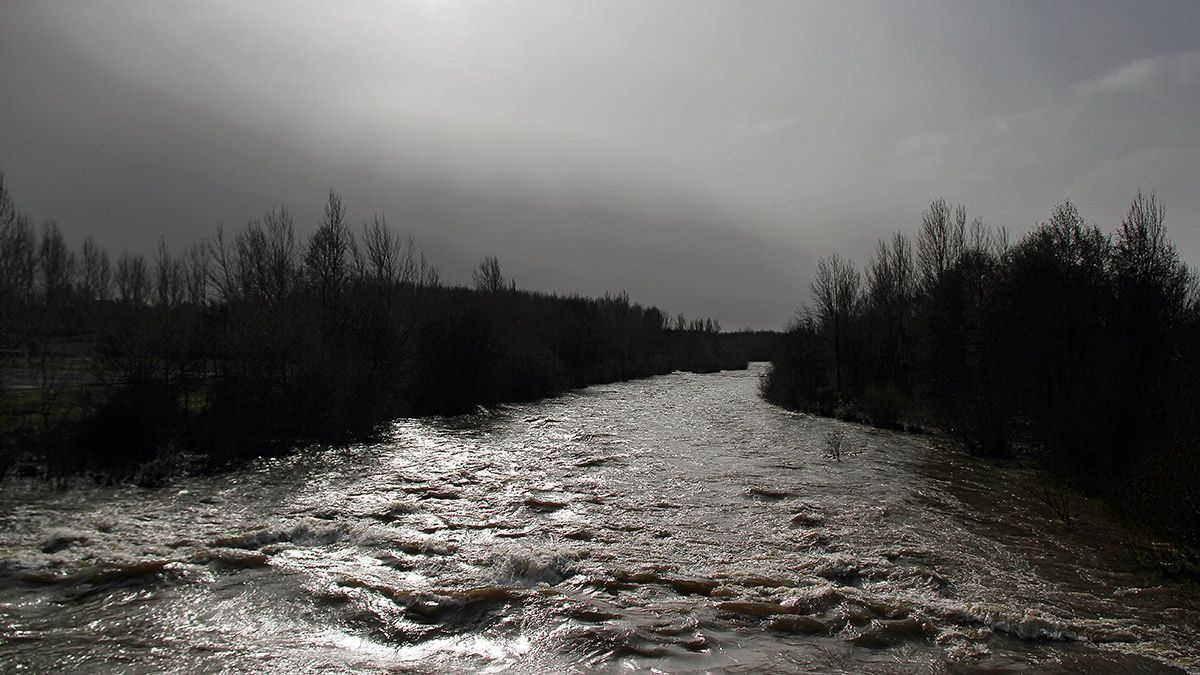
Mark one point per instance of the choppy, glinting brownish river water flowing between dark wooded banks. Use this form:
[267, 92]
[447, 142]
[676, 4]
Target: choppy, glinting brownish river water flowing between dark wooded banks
[676, 524]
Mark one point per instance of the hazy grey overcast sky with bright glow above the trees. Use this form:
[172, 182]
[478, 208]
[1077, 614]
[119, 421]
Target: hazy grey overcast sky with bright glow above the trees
[700, 156]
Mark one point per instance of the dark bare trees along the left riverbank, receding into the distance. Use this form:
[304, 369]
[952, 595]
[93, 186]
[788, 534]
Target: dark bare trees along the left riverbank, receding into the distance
[257, 341]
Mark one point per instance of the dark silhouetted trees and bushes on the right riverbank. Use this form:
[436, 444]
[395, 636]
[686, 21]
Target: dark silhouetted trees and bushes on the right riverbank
[1072, 347]
